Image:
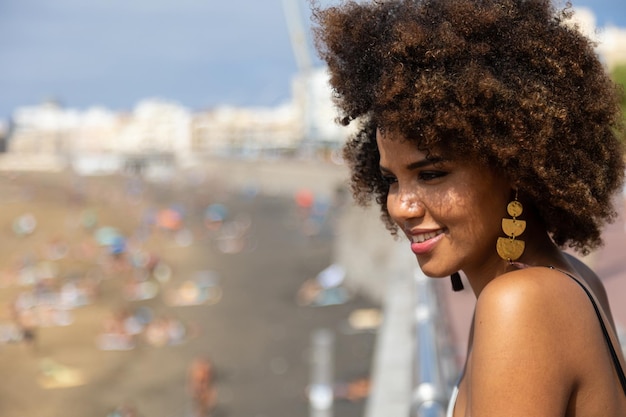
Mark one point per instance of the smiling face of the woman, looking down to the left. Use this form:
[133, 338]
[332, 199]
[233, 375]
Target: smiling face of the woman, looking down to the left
[451, 211]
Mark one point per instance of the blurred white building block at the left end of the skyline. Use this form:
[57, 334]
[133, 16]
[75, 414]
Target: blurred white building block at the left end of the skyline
[99, 140]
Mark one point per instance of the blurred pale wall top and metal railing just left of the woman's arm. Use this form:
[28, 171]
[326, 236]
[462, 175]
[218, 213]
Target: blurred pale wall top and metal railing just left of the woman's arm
[414, 368]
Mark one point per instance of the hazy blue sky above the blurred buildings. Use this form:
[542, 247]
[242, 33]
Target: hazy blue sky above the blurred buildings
[197, 53]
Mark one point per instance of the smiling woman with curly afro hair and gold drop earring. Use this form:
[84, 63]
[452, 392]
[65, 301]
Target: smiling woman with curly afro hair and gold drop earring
[488, 135]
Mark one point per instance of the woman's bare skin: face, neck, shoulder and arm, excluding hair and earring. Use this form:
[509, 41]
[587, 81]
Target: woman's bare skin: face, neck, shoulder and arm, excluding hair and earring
[527, 356]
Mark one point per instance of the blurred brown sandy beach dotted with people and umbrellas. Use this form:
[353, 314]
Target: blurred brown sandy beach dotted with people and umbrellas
[120, 321]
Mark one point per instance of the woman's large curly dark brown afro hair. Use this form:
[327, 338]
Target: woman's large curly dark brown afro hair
[510, 84]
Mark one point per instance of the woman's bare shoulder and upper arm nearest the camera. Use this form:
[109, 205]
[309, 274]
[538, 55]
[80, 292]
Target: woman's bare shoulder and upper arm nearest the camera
[527, 340]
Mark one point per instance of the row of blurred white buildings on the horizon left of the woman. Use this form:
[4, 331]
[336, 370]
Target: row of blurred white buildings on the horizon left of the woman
[158, 130]
